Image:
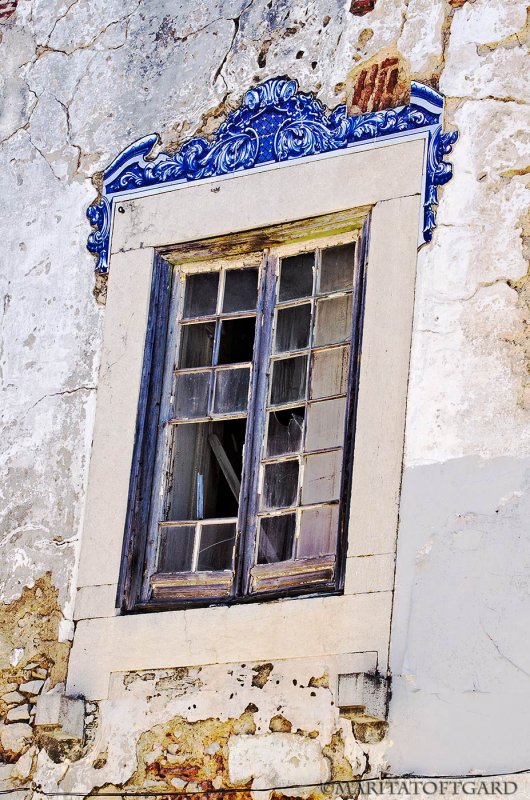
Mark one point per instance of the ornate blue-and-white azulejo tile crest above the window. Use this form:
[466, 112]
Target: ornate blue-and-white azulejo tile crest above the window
[274, 123]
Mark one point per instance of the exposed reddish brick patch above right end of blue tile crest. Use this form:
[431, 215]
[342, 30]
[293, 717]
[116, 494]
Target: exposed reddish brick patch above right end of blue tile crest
[382, 82]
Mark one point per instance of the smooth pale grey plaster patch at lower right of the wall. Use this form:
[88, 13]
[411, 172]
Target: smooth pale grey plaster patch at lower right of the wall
[457, 650]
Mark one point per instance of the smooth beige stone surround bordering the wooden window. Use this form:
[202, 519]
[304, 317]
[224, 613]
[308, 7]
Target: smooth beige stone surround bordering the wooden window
[388, 178]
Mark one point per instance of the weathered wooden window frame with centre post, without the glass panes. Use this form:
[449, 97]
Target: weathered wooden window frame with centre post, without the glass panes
[294, 578]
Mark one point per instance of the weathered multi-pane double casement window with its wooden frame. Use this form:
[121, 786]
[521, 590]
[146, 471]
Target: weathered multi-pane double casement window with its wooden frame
[244, 460]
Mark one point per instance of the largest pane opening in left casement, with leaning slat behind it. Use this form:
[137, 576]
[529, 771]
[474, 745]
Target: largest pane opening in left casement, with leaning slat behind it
[206, 470]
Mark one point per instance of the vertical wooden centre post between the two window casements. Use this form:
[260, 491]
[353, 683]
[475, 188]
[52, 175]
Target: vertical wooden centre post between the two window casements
[256, 426]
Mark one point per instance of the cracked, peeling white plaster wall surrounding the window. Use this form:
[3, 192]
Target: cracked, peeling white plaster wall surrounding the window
[80, 80]
